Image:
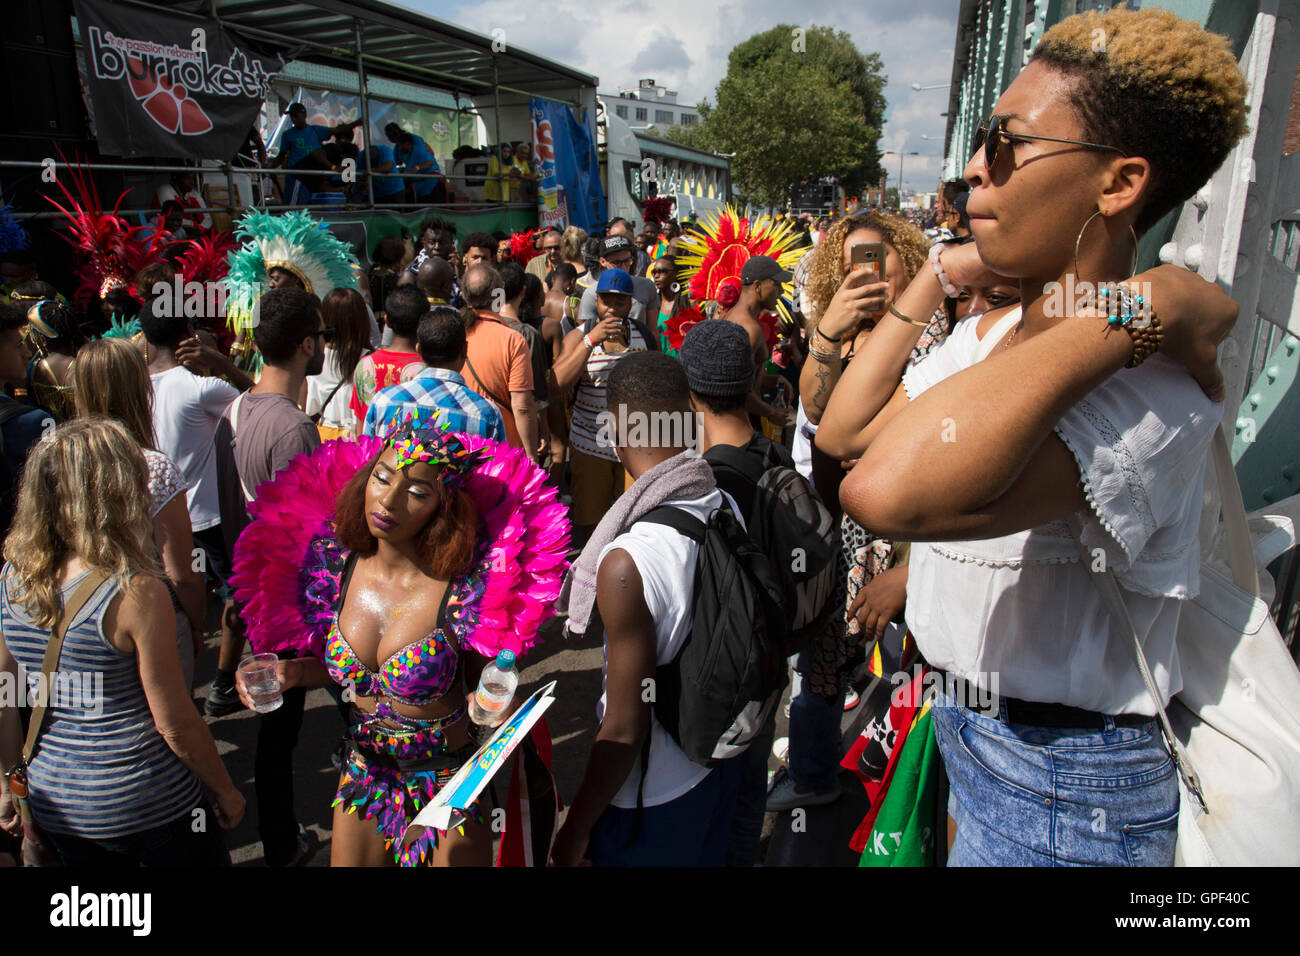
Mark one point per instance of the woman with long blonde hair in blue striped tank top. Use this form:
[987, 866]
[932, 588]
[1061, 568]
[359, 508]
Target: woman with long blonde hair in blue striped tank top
[124, 765]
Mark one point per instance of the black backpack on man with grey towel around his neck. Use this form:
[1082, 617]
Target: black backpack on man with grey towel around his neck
[721, 689]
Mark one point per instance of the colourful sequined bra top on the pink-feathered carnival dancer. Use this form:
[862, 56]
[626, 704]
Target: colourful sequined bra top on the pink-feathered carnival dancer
[418, 674]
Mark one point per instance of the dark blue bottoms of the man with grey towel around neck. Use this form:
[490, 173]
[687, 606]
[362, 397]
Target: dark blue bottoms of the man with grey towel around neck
[692, 830]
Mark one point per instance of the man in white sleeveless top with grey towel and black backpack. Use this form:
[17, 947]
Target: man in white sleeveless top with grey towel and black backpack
[677, 585]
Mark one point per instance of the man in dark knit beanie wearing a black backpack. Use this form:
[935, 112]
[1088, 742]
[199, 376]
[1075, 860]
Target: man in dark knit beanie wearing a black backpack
[782, 514]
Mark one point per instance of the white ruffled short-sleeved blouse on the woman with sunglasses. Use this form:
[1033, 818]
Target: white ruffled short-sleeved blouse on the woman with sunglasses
[1021, 615]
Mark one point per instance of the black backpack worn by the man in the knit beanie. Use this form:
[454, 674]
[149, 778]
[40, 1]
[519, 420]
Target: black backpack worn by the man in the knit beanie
[794, 529]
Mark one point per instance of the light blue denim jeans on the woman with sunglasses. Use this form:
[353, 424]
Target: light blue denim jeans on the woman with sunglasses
[1046, 797]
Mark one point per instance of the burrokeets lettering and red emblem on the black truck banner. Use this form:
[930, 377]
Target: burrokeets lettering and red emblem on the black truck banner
[164, 79]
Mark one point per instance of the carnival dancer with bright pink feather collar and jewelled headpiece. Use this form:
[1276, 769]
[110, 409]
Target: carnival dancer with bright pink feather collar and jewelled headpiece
[397, 566]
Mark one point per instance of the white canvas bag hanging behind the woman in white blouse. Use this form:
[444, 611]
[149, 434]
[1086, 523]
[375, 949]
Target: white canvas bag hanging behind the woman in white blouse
[1234, 729]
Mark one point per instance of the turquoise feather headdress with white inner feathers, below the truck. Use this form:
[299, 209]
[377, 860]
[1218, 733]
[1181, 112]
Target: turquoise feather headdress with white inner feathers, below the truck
[292, 241]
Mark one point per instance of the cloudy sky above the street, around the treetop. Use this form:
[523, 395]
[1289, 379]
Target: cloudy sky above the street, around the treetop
[684, 44]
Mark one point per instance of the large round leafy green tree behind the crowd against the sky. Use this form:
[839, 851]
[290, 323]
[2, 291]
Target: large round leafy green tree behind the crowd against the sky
[795, 102]
